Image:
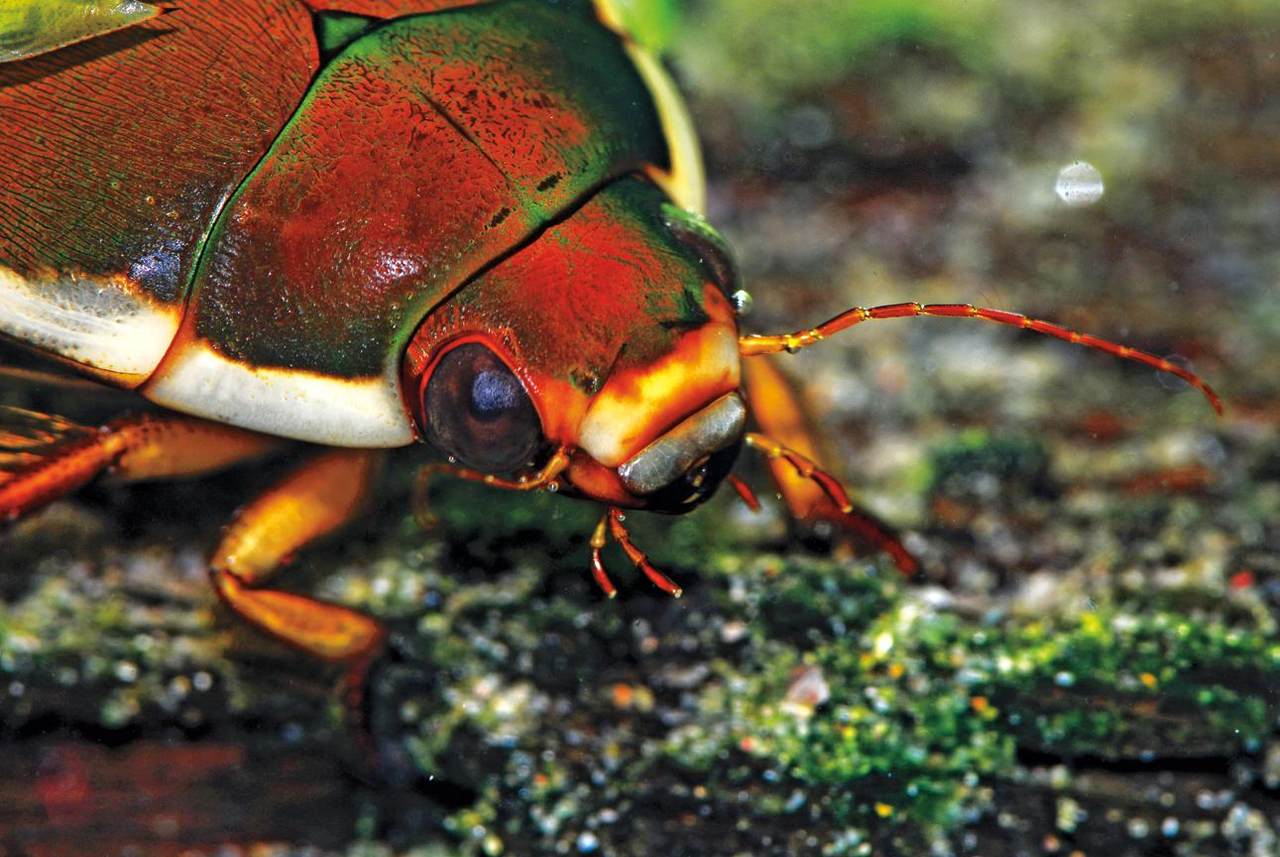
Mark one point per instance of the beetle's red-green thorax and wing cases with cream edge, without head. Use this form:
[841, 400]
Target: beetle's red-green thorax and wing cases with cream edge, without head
[272, 258]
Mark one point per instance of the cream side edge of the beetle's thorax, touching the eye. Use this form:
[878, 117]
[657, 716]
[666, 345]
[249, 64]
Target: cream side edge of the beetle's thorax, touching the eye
[318, 409]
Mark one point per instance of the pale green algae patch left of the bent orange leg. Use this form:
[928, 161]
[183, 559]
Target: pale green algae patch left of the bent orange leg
[81, 648]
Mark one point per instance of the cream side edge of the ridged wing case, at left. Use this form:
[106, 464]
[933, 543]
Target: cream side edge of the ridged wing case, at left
[100, 323]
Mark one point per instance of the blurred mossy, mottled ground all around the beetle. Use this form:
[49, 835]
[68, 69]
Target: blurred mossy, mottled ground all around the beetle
[1089, 661]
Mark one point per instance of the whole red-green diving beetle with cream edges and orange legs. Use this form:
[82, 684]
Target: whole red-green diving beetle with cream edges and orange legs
[369, 223]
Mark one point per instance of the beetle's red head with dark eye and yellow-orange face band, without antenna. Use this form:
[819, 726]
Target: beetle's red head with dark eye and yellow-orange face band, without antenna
[611, 337]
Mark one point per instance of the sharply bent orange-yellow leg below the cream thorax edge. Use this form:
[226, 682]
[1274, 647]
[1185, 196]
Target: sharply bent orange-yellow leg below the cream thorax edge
[313, 502]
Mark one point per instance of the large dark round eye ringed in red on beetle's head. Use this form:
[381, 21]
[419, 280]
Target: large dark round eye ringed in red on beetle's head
[478, 411]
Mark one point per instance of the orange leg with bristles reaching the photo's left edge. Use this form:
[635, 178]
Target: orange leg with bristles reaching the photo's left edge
[135, 448]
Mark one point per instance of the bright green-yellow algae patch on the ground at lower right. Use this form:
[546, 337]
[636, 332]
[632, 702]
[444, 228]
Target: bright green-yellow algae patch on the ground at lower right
[922, 709]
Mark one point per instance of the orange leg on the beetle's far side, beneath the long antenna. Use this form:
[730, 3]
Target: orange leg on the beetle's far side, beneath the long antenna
[790, 443]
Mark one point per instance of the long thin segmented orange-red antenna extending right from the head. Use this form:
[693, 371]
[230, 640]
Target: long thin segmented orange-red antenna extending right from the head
[756, 345]
